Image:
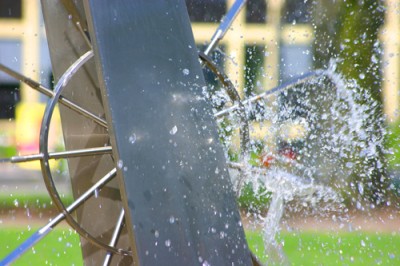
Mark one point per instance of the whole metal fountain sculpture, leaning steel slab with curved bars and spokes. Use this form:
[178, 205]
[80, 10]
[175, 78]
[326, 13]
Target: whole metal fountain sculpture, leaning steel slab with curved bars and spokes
[141, 141]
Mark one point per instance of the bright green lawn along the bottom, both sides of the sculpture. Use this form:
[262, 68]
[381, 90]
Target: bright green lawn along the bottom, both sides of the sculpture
[61, 247]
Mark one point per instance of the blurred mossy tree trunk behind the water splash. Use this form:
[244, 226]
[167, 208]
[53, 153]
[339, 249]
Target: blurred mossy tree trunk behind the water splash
[347, 30]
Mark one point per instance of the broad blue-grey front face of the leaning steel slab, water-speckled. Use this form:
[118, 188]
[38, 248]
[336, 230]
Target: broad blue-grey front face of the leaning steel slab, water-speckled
[174, 182]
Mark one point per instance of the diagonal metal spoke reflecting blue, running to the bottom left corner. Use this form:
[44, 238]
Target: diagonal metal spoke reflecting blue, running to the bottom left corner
[37, 236]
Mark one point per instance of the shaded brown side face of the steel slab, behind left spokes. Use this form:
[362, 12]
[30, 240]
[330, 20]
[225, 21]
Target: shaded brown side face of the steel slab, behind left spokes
[68, 36]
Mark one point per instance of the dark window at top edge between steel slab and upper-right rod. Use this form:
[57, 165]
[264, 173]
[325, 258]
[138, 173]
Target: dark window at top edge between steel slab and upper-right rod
[206, 10]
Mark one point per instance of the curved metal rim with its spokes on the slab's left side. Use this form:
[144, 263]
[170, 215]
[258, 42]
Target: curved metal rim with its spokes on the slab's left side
[95, 153]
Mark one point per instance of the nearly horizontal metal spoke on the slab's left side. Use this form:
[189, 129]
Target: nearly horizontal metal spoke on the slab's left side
[60, 155]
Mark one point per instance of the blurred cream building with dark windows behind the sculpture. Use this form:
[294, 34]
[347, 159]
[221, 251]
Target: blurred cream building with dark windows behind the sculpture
[271, 42]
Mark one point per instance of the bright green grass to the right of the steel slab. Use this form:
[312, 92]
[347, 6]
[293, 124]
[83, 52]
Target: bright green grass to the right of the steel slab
[340, 248]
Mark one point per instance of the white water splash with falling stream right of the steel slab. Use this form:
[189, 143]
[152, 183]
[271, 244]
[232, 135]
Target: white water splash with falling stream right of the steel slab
[319, 140]
